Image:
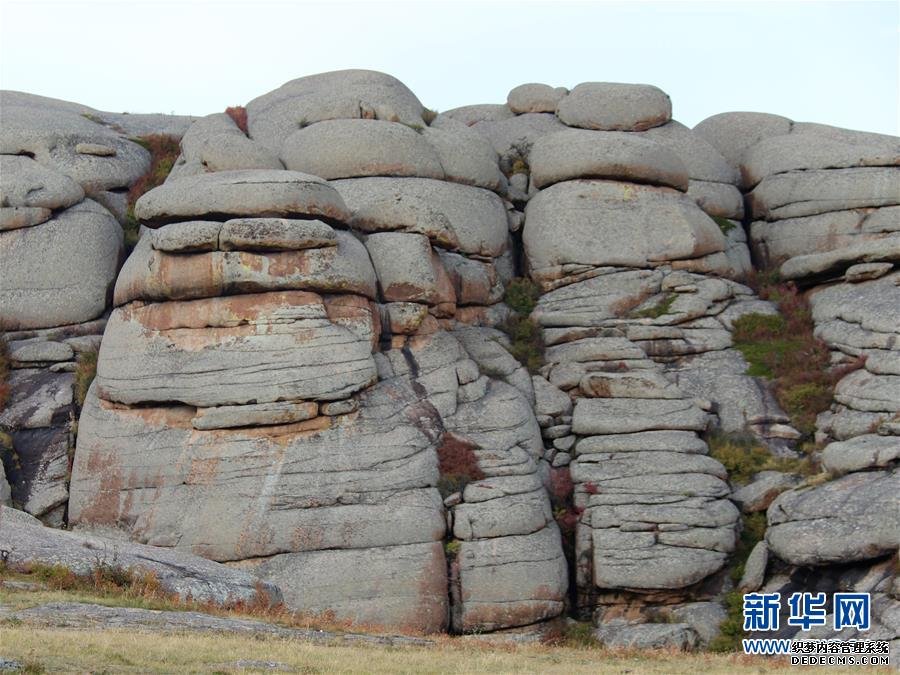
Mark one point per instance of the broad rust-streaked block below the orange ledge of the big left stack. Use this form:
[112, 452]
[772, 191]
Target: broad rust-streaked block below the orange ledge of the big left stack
[374, 473]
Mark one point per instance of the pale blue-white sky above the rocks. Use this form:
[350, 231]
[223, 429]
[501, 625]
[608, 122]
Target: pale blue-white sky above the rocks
[830, 62]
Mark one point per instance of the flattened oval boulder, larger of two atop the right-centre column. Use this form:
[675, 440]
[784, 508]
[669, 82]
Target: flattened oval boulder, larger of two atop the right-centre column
[613, 106]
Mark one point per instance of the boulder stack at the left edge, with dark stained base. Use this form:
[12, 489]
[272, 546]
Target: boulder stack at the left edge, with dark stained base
[63, 179]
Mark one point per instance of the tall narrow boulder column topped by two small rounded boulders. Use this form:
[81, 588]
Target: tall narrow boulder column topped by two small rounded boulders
[631, 229]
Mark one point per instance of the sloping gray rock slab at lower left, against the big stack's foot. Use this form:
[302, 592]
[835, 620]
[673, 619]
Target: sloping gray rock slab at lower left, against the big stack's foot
[178, 572]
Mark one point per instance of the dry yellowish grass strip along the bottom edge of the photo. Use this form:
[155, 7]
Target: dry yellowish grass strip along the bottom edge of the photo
[124, 651]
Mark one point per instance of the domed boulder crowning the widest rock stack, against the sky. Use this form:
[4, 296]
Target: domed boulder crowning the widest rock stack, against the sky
[340, 94]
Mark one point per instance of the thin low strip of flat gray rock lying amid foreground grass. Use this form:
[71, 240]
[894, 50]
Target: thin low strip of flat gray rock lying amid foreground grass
[87, 616]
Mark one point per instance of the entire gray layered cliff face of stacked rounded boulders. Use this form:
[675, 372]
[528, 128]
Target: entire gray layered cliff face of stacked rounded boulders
[307, 363]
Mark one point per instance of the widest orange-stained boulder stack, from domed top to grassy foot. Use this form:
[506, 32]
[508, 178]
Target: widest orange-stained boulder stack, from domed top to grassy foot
[298, 354]
